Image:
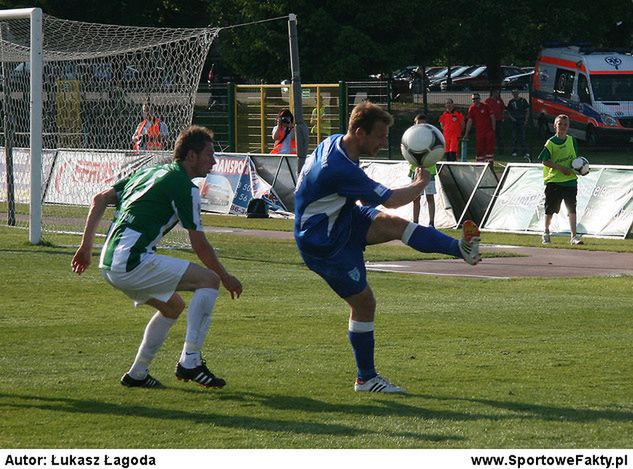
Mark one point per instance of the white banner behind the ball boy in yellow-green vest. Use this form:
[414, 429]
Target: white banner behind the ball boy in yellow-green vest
[604, 202]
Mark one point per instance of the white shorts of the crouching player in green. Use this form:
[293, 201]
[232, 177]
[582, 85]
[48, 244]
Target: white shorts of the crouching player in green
[156, 277]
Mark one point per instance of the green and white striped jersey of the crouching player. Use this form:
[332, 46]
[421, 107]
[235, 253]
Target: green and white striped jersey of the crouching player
[150, 203]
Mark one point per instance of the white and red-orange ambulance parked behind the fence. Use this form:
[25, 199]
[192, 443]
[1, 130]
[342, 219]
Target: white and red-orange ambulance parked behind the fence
[593, 87]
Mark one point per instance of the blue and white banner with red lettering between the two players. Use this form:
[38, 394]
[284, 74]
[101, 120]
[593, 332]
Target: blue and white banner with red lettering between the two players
[232, 183]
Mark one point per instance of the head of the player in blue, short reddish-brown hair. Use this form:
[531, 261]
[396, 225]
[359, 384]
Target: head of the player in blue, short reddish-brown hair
[369, 127]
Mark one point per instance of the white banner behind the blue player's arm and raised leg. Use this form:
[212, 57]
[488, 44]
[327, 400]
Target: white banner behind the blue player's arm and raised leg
[395, 174]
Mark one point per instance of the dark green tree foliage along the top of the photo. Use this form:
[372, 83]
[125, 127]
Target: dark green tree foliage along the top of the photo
[340, 40]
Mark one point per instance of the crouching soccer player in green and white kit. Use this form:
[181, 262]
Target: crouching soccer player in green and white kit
[149, 203]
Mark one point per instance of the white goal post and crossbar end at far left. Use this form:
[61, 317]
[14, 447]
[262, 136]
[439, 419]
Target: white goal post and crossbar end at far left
[35, 109]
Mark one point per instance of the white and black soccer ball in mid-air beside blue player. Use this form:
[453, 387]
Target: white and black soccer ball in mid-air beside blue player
[422, 145]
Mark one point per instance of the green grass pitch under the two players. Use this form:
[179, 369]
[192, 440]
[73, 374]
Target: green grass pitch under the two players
[526, 363]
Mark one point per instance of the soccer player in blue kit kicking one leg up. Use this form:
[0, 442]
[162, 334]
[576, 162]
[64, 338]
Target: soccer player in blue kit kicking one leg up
[332, 230]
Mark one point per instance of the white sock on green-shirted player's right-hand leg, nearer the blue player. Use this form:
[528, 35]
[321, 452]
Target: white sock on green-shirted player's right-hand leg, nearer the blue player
[198, 323]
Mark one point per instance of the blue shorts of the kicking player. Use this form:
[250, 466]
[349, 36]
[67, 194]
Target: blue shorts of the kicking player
[345, 271]
